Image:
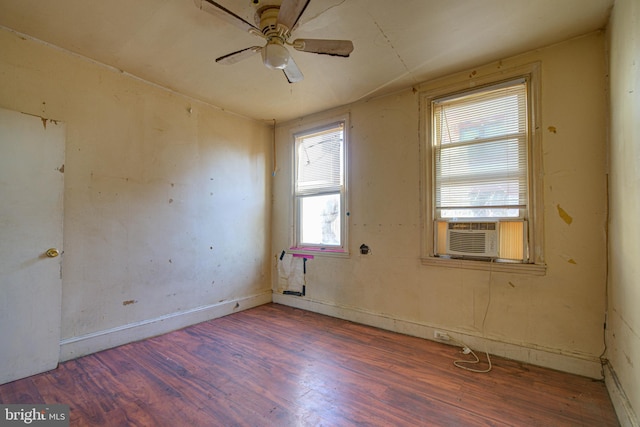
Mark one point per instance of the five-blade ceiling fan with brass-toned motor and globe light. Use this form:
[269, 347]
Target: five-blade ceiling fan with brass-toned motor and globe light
[275, 22]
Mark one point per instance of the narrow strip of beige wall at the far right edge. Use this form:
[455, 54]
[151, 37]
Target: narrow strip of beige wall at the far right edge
[623, 335]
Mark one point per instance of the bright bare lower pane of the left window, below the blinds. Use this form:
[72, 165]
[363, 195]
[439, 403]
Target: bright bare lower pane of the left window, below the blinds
[320, 220]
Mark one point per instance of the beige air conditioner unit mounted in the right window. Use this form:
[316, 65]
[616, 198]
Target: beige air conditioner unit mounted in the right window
[478, 239]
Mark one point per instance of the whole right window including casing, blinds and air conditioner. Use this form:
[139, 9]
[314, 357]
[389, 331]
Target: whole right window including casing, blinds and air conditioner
[481, 172]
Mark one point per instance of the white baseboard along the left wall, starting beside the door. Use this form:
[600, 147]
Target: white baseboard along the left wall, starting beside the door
[71, 348]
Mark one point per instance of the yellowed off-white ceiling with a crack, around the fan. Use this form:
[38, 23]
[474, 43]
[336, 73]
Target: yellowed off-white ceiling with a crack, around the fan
[397, 44]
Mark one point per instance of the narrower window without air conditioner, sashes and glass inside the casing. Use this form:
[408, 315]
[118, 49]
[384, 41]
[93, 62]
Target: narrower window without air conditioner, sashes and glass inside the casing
[320, 188]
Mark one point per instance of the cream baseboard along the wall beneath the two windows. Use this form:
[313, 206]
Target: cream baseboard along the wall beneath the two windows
[579, 364]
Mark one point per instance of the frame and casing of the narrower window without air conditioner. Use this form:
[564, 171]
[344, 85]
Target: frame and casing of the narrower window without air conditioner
[310, 129]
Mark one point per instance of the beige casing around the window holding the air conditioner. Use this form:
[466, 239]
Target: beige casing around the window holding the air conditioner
[459, 85]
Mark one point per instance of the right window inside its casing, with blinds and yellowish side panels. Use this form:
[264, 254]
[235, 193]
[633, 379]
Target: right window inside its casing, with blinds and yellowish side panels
[479, 146]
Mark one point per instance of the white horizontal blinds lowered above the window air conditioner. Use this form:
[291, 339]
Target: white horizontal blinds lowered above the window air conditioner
[480, 152]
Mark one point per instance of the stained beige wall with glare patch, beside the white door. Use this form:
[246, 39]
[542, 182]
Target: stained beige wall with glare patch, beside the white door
[166, 198]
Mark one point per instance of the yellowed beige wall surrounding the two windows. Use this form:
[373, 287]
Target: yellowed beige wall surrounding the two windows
[554, 320]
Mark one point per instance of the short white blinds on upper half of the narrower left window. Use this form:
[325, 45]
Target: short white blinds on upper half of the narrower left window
[320, 161]
